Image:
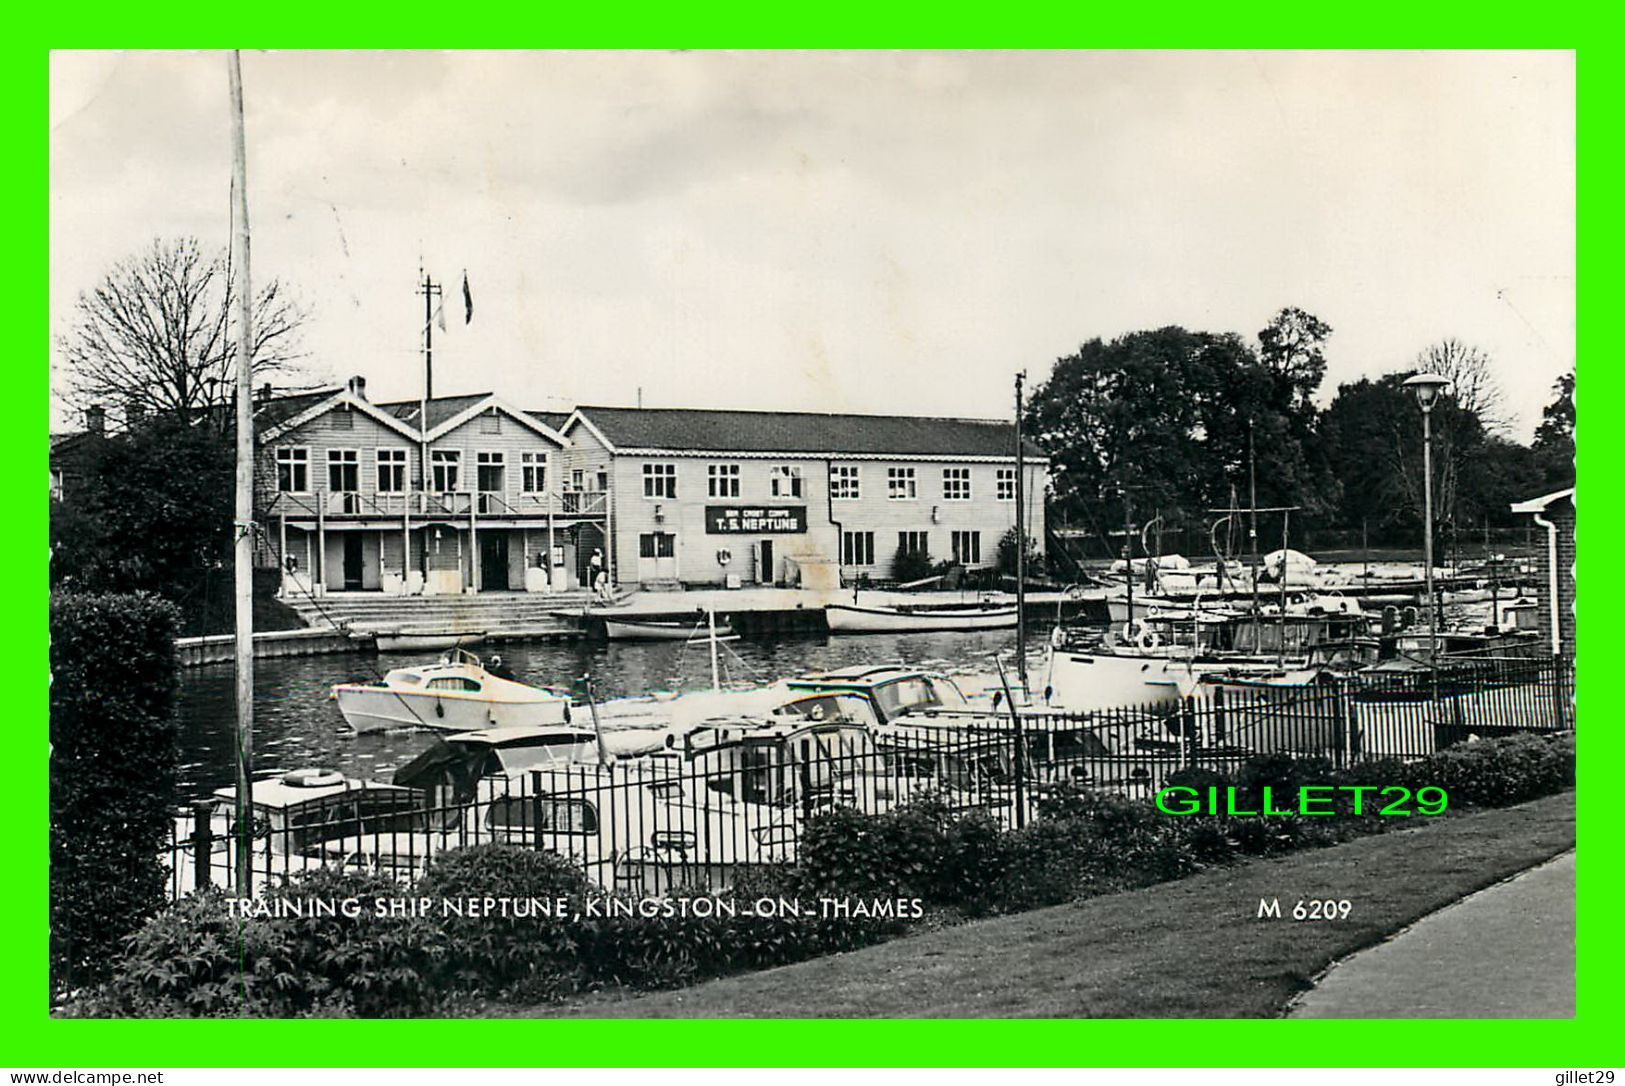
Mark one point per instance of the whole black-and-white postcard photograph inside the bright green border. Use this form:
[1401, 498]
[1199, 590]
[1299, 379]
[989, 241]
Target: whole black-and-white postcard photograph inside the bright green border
[839, 534]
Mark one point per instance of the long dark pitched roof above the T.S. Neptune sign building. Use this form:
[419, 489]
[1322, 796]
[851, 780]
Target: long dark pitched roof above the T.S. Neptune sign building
[683, 430]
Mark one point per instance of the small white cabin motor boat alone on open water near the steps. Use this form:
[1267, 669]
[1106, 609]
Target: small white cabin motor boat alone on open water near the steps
[456, 695]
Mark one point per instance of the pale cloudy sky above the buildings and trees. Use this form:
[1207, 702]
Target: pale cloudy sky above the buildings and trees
[844, 232]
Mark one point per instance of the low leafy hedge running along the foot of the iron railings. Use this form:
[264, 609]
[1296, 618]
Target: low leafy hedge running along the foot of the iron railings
[1085, 845]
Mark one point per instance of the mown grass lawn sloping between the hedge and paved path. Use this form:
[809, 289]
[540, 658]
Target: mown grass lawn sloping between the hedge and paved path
[1194, 949]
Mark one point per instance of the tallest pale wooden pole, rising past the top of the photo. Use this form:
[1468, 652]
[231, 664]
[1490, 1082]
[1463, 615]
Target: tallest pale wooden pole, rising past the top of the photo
[245, 510]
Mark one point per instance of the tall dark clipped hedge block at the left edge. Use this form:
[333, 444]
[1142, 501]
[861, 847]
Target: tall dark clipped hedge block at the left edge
[113, 773]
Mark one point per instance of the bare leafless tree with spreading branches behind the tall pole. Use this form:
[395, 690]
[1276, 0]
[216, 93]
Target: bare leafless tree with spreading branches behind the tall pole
[158, 336]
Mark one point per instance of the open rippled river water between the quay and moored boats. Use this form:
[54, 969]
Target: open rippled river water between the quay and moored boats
[297, 726]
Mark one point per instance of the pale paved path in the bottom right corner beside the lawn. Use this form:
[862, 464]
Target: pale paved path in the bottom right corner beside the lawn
[1507, 952]
